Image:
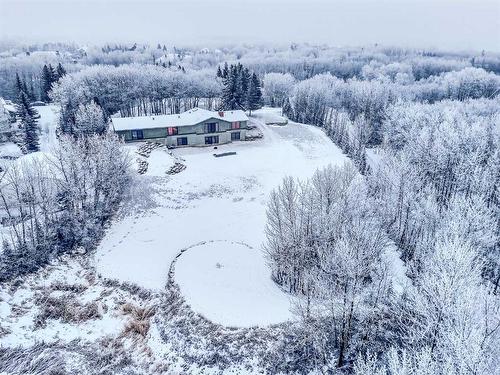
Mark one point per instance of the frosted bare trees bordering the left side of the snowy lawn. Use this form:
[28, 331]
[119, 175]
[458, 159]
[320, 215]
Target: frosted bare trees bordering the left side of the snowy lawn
[60, 203]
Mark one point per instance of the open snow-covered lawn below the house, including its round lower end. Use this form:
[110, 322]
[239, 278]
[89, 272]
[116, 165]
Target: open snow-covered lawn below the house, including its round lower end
[214, 199]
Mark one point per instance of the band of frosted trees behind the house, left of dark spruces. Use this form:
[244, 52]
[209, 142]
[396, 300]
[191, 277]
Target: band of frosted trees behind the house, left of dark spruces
[136, 90]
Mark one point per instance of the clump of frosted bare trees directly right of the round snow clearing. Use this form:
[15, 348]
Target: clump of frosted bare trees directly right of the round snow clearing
[324, 241]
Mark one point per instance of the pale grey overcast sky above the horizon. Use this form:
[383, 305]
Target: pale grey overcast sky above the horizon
[448, 24]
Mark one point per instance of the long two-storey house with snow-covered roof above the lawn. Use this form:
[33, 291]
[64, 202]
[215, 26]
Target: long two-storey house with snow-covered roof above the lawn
[196, 127]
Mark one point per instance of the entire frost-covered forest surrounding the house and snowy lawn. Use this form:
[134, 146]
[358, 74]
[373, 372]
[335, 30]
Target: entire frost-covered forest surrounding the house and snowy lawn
[421, 130]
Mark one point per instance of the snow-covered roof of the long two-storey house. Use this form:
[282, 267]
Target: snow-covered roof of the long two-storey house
[188, 118]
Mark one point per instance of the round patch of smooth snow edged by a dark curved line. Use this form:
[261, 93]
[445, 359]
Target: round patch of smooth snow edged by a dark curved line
[229, 283]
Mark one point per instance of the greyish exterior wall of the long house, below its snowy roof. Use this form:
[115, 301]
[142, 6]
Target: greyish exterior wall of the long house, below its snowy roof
[195, 134]
